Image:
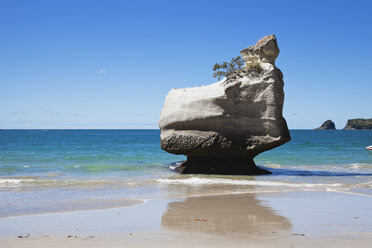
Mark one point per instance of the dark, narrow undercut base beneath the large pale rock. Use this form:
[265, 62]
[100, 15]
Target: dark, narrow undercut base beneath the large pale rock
[220, 166]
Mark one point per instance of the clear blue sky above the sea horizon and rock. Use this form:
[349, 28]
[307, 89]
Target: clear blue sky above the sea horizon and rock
[110, 64]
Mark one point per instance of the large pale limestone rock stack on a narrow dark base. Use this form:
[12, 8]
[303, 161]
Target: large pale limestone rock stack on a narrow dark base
[223, 126]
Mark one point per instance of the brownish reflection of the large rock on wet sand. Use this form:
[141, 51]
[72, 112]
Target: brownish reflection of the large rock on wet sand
[239, 214]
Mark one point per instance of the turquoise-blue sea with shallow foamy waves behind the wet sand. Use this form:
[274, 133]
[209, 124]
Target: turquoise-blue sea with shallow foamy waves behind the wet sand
[66, 170]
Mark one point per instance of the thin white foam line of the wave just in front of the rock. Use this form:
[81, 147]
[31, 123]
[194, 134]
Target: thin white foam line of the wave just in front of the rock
[219, 181]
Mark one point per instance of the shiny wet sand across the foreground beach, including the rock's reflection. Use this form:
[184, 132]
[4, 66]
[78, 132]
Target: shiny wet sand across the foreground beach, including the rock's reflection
[287, 219]
